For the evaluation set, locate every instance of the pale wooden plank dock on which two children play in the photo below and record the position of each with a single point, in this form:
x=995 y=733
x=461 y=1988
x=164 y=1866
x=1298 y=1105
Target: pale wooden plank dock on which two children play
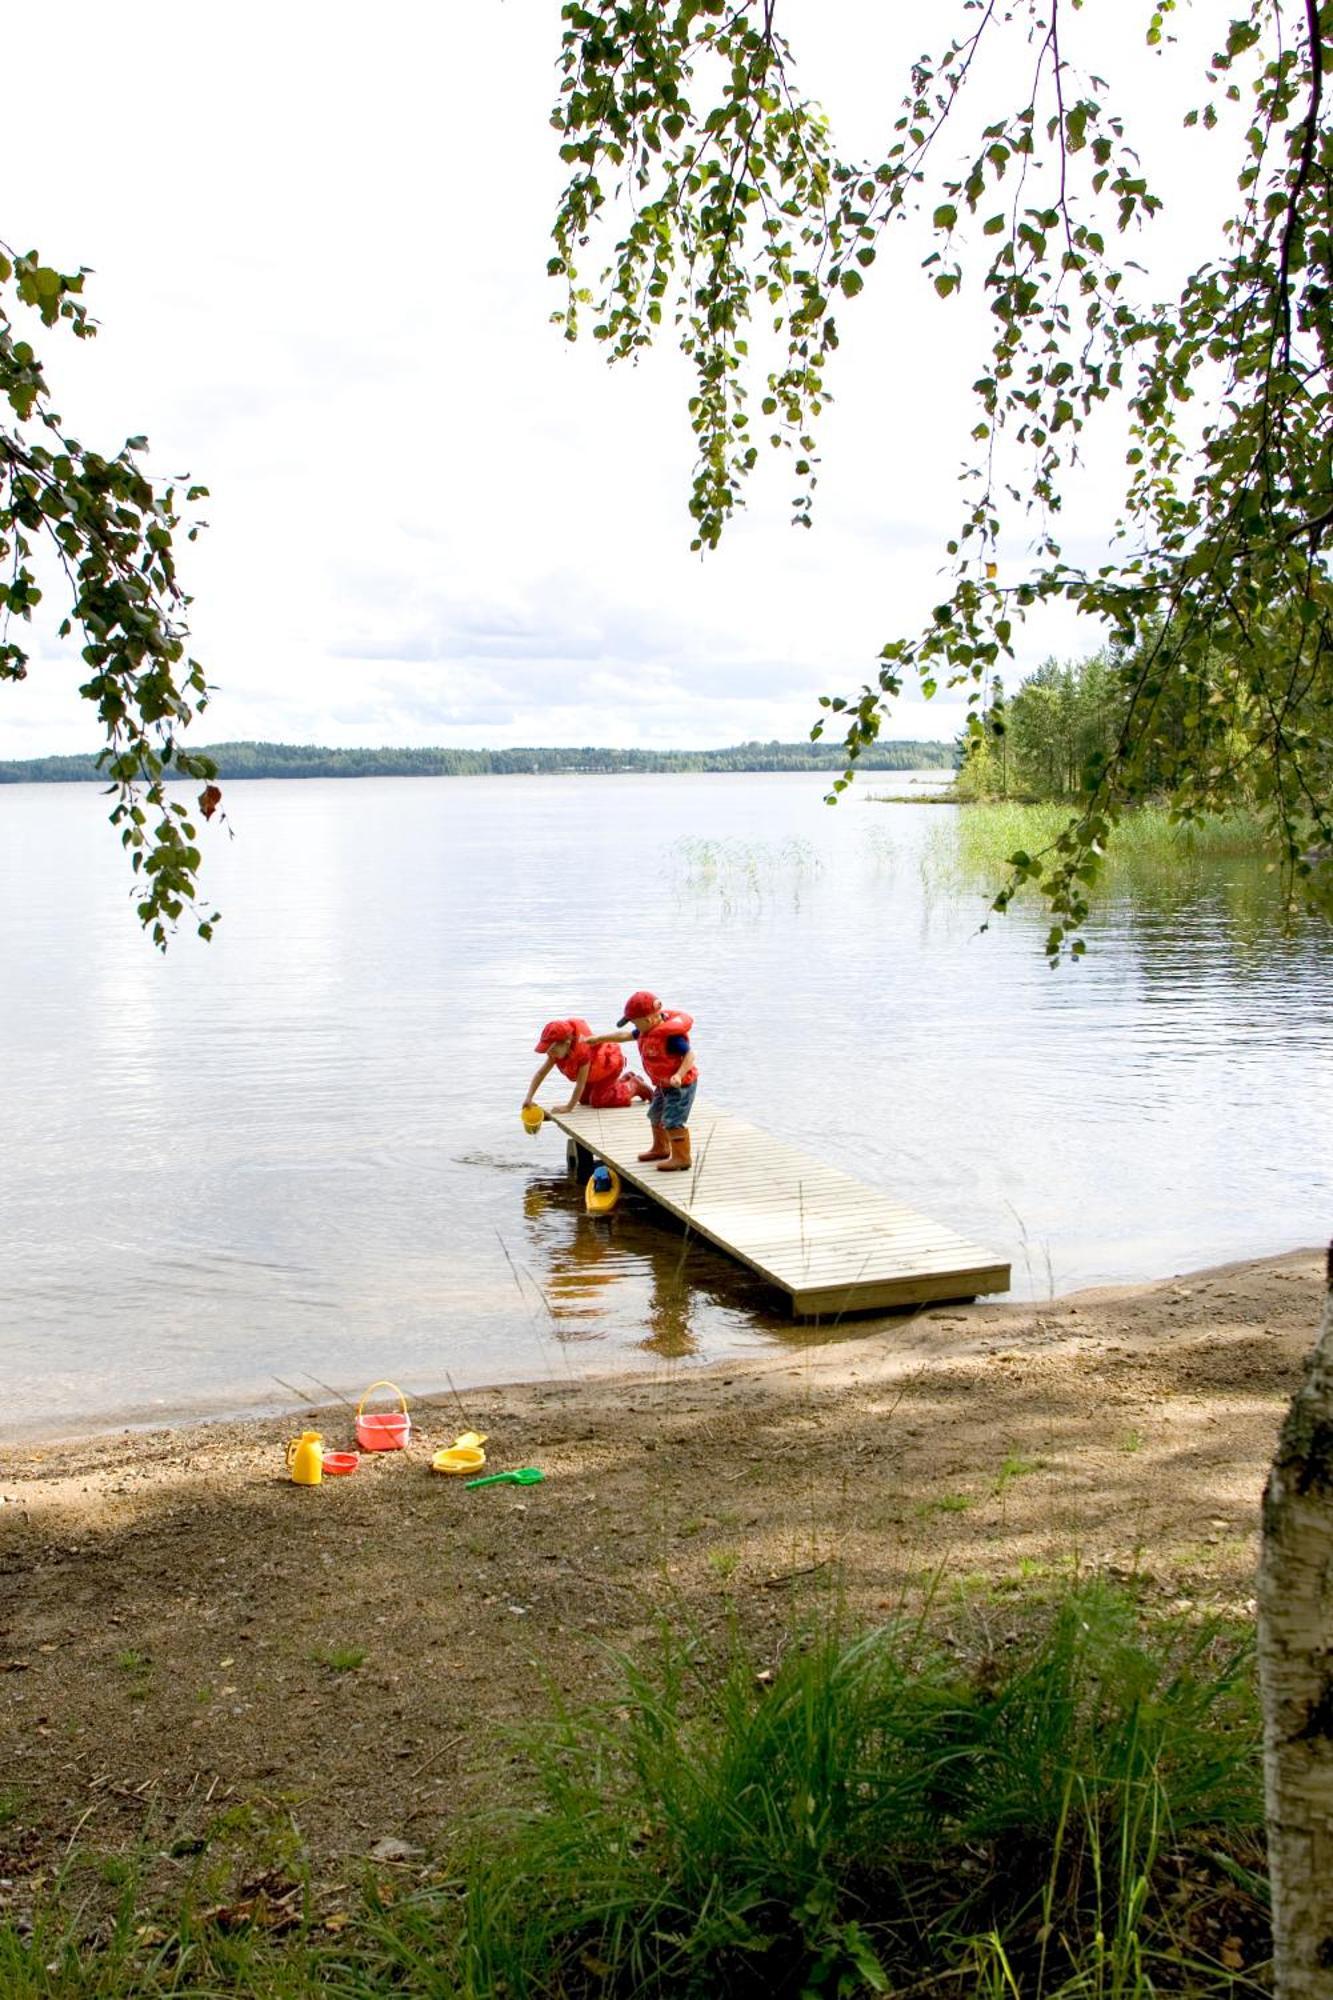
x=828 y=1241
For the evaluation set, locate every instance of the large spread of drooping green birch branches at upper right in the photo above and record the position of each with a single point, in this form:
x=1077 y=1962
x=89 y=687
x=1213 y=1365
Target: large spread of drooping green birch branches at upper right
x=688 y=131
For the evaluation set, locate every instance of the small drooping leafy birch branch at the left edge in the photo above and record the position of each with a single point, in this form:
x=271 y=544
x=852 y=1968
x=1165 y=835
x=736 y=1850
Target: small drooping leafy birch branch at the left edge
x=109 y=533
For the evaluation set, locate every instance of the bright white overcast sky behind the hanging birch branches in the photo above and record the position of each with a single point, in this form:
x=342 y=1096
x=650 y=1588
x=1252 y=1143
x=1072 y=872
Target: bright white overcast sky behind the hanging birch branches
x=319 y=243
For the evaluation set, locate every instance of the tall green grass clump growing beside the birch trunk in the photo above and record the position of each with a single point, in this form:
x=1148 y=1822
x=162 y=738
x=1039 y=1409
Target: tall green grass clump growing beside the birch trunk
x=874 y=1819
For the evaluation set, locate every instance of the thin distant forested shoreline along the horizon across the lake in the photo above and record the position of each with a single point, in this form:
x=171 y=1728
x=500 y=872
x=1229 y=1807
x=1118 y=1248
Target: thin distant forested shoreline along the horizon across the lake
x=311 y=761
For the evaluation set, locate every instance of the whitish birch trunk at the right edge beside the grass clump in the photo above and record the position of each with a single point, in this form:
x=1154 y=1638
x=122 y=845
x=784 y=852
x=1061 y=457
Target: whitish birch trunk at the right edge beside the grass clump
x=1296 y=1677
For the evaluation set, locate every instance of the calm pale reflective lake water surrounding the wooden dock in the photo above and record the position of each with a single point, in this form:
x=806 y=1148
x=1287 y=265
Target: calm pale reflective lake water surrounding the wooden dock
x=297 y=1153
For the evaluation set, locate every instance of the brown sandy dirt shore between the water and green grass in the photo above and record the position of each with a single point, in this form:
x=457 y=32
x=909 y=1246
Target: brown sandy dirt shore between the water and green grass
x=195 y=1653
